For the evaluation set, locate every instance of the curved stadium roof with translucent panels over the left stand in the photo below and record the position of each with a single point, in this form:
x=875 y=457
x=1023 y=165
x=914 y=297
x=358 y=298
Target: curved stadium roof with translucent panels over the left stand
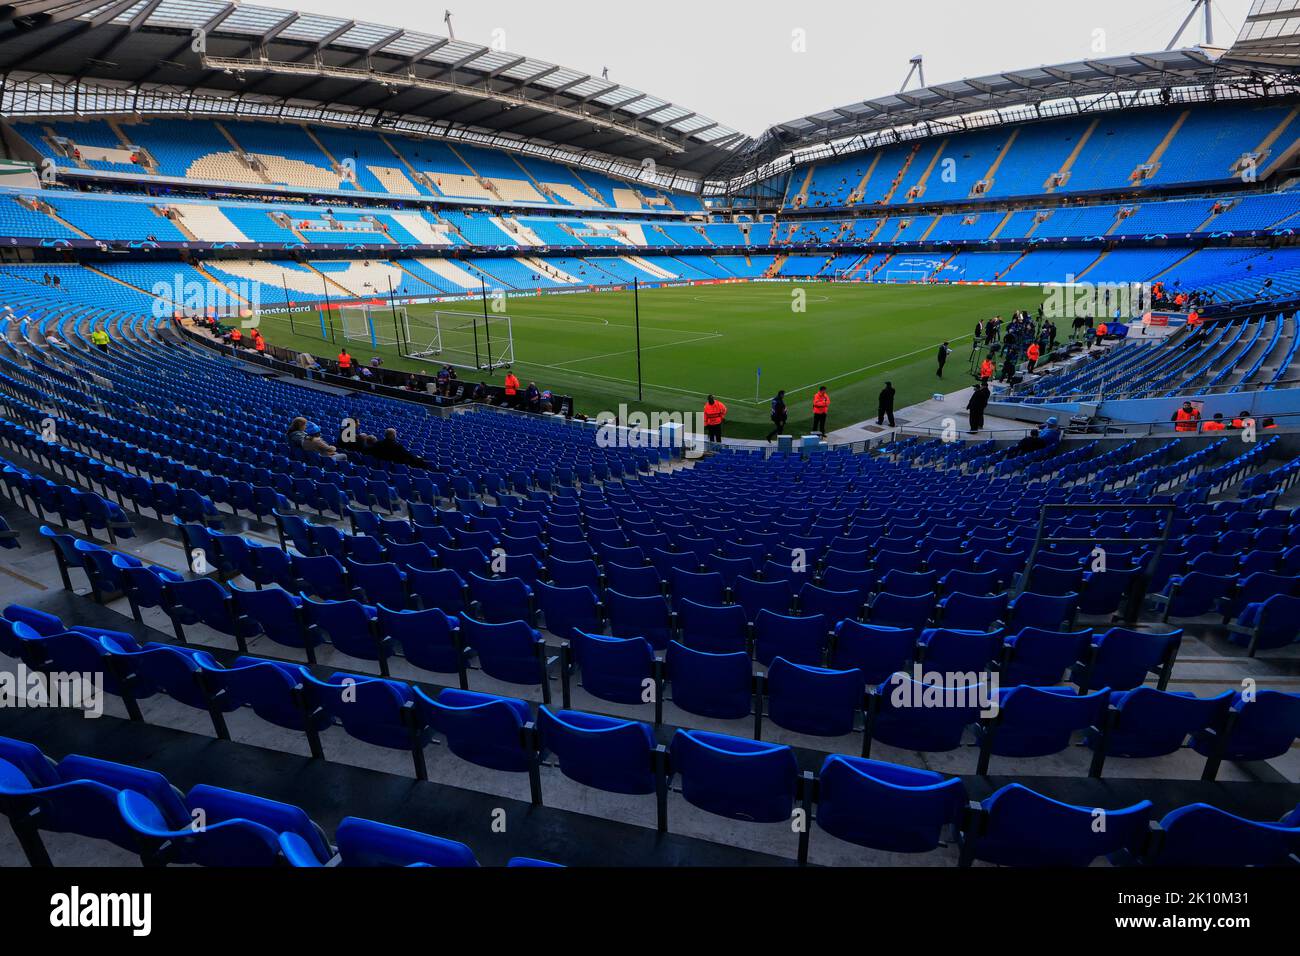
x=354 y=66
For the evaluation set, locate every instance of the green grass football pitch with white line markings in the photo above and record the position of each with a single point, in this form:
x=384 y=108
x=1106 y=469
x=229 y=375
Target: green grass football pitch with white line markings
x=700 y=340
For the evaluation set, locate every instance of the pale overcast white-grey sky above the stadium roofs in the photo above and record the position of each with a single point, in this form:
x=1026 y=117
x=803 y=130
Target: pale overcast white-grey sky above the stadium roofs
x=738 y=62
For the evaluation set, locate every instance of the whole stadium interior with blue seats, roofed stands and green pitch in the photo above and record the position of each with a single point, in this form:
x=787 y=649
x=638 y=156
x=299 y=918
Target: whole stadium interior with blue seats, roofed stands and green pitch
x=419 y=455
